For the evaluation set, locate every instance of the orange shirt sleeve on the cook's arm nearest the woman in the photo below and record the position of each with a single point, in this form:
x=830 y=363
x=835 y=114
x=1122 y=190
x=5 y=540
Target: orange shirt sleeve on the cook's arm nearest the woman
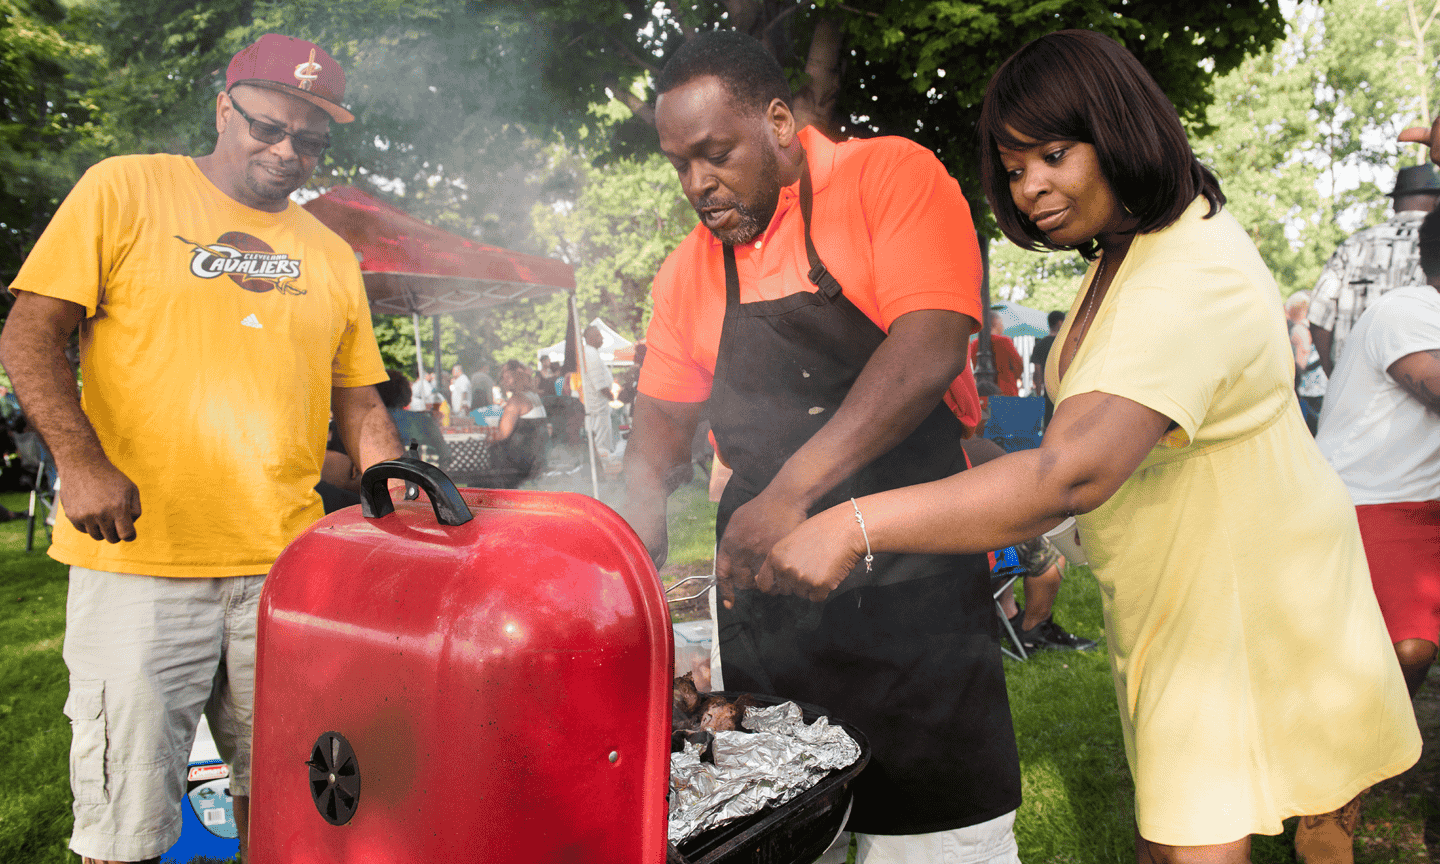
x=925 y=250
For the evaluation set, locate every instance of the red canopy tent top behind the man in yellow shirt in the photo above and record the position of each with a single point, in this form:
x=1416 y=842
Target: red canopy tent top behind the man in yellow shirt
x=414 y=267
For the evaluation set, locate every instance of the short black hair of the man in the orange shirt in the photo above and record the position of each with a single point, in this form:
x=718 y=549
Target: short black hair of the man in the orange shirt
x=750 y=74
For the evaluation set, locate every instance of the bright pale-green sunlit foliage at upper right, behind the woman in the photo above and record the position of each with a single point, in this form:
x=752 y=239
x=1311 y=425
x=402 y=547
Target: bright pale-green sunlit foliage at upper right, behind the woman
x=1304 y=129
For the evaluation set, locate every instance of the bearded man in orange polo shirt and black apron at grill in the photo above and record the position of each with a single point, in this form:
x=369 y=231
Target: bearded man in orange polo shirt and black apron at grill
x=820 y=313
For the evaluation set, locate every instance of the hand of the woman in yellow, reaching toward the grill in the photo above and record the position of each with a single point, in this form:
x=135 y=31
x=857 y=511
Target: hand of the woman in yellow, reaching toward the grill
x=816 y=558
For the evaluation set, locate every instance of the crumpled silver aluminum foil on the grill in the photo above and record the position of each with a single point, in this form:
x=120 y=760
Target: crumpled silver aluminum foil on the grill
x=771 y=764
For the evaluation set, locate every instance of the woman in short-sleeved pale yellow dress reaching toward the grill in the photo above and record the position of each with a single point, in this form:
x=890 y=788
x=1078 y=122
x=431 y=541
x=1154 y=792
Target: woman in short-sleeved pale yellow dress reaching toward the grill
x=1252 y=666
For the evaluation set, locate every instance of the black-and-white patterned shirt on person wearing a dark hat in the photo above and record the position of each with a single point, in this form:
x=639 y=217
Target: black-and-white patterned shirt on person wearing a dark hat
x=1366 y=267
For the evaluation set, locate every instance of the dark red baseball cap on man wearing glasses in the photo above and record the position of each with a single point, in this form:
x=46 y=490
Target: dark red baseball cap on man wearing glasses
x=296 y=68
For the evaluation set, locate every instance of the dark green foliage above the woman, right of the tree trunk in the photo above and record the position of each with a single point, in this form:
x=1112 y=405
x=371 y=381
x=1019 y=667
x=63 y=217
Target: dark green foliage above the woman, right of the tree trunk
x=919 y=68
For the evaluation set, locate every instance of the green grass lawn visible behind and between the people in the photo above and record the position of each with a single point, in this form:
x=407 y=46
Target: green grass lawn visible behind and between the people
x=1078 y=794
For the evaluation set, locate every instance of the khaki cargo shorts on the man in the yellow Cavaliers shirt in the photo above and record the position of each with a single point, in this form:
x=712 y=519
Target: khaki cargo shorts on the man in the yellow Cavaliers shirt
x=148 y=656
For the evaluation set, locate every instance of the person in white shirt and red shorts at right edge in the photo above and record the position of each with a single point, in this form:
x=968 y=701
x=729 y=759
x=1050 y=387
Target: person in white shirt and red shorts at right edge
x=1380 y=430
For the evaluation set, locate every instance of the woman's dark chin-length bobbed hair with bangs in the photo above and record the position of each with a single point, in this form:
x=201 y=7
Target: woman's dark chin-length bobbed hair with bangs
x=1078 y=86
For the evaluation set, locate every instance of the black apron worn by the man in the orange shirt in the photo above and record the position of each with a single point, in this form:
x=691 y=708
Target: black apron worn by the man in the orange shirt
x=909 y=653
